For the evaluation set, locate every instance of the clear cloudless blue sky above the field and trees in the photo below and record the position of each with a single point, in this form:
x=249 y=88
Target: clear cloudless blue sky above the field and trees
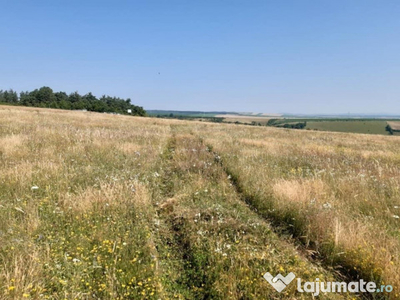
x=278 y=56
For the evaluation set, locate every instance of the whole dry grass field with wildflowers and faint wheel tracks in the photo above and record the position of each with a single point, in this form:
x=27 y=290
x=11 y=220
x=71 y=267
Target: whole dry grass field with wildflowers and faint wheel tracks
x=97 y=206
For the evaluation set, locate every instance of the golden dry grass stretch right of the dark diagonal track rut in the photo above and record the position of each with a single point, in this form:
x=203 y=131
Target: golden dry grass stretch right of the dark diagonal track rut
x=338 y=194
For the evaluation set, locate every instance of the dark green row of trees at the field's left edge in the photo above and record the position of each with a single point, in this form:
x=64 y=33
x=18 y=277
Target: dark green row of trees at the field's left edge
x=45 y=97
